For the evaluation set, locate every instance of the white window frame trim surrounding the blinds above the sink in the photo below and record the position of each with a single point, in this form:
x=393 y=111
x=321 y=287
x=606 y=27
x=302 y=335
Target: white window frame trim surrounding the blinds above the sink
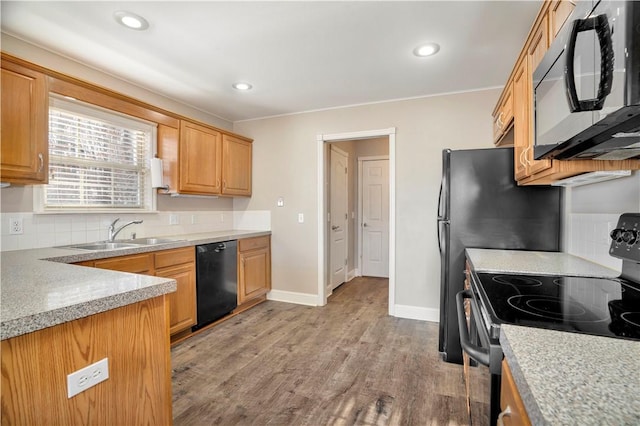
x=117 y=118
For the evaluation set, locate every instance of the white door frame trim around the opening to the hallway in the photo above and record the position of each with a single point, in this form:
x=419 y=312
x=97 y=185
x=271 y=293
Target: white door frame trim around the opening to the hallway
x=321 y=139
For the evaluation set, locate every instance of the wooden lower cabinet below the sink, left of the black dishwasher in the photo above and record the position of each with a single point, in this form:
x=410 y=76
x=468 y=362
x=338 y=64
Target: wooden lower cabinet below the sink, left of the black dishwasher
x=179 y=264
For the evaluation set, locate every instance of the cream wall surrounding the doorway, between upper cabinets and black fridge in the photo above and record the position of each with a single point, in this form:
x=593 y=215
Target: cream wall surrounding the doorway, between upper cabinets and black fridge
x=285 y=158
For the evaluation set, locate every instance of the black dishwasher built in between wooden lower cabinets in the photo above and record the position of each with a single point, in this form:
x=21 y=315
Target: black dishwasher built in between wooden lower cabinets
x=216 y=281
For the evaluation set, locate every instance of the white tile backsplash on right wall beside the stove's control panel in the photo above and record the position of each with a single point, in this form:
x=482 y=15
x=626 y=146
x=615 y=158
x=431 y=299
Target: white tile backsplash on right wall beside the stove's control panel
x=588 y=237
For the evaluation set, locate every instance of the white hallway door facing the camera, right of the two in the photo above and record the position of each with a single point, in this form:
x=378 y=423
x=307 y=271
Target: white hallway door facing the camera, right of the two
x=375 y=218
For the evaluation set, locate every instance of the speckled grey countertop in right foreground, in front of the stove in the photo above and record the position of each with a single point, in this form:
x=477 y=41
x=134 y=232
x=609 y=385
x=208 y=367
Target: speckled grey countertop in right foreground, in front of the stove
x=570 y=379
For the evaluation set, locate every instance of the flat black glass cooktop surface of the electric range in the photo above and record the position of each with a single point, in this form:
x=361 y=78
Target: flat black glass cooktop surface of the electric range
x=599 y=306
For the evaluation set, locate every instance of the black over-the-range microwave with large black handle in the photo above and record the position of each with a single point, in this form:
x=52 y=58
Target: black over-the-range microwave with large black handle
x=587 y=86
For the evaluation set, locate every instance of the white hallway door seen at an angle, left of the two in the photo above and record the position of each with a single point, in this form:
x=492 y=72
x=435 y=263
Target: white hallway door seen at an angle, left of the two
x=338 y=217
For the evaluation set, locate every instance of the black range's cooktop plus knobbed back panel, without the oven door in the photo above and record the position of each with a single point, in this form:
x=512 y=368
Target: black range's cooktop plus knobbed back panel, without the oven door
x=599 y=306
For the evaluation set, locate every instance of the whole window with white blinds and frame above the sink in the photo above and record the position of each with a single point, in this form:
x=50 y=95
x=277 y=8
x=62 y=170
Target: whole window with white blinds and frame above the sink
x=98 y=160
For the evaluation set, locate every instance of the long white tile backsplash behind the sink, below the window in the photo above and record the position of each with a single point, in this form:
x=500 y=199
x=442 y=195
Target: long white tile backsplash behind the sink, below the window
x=52 y=230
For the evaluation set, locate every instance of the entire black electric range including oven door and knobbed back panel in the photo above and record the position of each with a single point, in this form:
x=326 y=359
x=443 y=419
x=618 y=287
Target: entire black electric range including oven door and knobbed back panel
x=589 y=305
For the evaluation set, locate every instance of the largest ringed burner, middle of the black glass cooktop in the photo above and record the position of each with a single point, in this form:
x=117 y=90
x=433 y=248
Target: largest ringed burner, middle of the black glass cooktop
x=551 y=307
